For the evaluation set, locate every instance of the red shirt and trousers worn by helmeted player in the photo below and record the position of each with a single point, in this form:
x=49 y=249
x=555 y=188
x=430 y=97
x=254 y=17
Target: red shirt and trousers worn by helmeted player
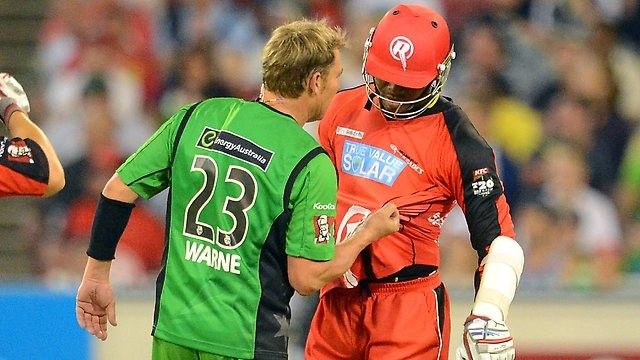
x=424 y=165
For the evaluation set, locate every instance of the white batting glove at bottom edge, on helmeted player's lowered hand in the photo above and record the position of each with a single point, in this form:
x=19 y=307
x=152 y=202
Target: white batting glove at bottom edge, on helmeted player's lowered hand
x=485 y=339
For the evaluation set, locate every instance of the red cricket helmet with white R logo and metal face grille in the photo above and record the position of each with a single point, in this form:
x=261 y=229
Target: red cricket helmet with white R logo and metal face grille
x=410 y=47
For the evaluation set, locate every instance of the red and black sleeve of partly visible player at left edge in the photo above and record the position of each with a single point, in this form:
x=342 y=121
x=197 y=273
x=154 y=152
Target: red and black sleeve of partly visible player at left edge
x=24 y=169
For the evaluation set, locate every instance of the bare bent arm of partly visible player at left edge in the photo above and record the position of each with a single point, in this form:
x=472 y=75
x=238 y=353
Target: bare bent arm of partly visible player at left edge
x=21 y=126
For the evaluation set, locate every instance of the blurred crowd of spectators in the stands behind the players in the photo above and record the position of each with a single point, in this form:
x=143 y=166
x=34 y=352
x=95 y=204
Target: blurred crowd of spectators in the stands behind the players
x=553 y=85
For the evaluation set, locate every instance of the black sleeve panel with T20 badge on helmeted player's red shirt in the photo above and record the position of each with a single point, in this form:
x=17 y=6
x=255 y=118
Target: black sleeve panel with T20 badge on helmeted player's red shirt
x=479 y=179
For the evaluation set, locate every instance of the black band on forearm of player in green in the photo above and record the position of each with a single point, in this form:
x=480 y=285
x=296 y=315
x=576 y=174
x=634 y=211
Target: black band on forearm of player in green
x=109 y=223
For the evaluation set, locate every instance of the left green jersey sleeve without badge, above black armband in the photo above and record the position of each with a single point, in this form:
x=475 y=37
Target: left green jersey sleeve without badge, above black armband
x=147 y=171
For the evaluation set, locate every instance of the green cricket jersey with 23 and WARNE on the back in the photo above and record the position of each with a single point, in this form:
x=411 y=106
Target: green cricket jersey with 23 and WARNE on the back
x=248 y=186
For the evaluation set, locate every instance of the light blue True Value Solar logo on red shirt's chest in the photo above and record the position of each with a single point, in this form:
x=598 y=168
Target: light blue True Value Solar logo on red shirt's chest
x=371 y=163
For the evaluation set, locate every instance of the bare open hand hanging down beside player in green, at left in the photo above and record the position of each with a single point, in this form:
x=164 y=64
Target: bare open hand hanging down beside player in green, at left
x=95 y=305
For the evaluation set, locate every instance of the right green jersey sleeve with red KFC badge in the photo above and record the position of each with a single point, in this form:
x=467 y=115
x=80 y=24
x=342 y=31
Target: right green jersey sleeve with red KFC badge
x=311 y=231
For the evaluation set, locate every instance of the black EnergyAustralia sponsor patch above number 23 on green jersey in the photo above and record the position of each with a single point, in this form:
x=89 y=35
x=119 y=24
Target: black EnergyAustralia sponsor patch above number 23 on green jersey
x=235 y=146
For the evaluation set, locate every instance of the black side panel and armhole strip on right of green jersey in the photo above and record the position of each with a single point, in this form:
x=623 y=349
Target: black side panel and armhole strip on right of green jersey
x=274 y=313
